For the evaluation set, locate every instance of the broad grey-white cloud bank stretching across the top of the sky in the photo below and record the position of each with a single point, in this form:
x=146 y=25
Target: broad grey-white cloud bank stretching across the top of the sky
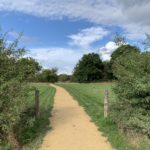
x=122 y=13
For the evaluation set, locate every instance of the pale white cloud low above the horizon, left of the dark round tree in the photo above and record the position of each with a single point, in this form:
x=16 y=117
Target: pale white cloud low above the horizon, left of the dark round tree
x=63 y=58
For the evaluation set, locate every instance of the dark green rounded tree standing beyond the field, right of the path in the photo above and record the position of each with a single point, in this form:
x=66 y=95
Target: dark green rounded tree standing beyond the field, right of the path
x=89 y=68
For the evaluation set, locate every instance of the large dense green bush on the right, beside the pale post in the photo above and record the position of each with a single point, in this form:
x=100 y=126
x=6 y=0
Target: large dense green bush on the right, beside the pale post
x=132 y=109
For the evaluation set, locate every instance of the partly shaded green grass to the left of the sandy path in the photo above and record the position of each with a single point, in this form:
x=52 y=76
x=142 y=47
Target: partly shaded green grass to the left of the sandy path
x=31 y=130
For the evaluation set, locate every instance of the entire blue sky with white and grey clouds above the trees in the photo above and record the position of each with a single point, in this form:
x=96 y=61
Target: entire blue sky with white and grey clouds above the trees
x=58 y=32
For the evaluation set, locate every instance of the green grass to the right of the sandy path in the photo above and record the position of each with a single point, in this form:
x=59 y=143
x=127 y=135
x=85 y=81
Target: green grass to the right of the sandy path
x=91 y=96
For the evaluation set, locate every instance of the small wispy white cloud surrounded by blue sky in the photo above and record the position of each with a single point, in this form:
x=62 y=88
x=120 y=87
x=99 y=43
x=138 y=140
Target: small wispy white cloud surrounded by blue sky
x=88 y=36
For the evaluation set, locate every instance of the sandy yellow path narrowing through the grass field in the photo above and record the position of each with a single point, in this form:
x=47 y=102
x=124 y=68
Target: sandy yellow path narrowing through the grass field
x=71 y=127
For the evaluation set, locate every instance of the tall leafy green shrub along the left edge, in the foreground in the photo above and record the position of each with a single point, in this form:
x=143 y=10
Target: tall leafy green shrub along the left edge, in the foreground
x=12 y=89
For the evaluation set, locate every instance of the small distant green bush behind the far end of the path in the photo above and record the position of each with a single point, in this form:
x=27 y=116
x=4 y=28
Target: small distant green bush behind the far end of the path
x=48 y=75
